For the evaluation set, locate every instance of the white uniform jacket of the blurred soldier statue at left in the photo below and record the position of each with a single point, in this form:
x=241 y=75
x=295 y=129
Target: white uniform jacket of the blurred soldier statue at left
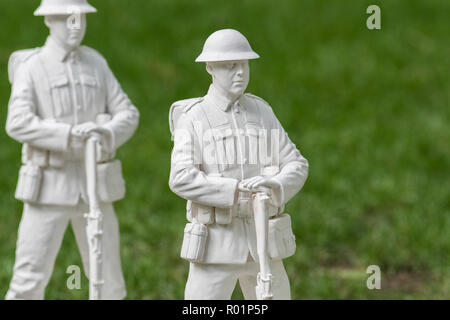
x=53 y=90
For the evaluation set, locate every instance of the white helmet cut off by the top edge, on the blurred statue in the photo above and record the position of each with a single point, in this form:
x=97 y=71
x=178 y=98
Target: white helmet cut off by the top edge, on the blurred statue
x=63 y=7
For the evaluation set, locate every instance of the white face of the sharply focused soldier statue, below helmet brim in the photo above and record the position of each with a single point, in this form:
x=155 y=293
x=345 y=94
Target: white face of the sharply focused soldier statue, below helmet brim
x=231 y=77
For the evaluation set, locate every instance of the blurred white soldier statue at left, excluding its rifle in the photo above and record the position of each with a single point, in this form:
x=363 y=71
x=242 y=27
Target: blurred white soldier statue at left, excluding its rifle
x=62 y=93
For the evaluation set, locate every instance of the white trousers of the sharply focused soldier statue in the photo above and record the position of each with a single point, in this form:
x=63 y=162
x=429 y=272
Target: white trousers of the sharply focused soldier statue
x=217 y=281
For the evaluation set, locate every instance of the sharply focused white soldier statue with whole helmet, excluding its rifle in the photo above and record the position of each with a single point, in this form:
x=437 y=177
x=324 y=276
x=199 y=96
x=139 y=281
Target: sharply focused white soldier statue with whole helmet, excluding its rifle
x=225 y=143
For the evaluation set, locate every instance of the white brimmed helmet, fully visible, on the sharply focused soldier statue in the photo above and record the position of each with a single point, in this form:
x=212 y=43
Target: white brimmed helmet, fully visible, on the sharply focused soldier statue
x=226 y=45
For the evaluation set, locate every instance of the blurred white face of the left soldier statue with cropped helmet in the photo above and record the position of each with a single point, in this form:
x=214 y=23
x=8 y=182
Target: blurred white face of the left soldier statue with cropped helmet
x=68 y=30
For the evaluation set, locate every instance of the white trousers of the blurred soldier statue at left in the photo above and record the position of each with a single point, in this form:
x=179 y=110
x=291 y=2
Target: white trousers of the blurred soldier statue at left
x=40 y=235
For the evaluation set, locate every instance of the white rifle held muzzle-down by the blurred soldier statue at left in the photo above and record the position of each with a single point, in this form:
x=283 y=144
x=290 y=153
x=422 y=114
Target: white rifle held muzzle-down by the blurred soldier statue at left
x=94 y=228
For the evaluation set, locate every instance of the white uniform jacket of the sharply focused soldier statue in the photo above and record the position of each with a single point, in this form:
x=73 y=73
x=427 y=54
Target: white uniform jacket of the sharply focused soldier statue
x=218 y=143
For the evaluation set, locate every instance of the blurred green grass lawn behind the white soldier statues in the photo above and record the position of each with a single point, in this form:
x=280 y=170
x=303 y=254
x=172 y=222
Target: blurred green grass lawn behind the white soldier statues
x=368 y=109
